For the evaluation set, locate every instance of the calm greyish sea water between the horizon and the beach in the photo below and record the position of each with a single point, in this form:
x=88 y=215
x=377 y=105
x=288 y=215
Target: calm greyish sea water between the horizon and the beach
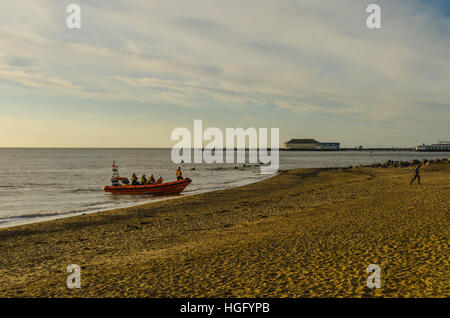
x=41 y=184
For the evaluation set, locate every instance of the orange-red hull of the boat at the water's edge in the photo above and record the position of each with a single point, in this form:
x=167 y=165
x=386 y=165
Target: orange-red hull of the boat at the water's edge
x=169 y=188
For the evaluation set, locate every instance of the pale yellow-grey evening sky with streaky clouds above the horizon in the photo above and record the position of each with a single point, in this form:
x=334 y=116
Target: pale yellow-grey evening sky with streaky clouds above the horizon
x=136 y=70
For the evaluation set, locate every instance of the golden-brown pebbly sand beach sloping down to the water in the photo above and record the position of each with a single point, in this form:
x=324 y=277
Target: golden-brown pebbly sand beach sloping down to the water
x=302 y=233
